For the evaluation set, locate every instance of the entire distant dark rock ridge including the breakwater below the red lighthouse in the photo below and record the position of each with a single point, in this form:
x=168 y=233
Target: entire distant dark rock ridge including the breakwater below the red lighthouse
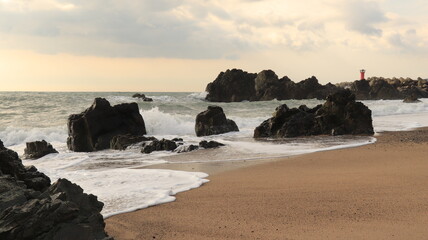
x=237 y=85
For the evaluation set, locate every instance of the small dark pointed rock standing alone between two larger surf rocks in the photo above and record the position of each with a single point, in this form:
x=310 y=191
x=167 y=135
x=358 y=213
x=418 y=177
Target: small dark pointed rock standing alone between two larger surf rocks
x=213 y=121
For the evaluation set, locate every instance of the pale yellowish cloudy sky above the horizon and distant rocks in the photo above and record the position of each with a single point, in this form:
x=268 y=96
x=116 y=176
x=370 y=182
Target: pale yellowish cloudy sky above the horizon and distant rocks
x=182 y=45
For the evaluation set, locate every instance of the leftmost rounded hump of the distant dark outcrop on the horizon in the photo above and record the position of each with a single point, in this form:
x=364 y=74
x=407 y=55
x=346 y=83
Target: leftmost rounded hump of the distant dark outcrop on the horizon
x=232 y=86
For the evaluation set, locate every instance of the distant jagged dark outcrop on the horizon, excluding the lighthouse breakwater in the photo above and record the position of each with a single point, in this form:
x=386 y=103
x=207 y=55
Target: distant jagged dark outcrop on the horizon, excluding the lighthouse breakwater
x=236 y=85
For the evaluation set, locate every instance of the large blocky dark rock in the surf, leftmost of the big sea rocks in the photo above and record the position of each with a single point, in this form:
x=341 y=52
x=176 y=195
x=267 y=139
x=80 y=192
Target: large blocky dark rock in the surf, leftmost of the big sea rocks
x=94 y=128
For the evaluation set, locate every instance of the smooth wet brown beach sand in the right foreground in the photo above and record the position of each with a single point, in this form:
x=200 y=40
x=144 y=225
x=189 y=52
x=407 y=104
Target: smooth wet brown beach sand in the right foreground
x=377 y=191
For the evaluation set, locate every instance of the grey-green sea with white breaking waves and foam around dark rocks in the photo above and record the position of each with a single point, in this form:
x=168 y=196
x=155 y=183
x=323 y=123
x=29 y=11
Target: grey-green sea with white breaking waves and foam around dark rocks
x=118 y=177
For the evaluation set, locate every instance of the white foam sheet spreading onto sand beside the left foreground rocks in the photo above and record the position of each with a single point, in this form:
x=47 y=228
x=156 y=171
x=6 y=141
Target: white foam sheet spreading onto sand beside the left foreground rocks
x=123 y=189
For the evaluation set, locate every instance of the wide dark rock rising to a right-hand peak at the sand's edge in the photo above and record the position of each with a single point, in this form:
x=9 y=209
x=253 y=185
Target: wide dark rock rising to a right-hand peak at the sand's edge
x=339 y=115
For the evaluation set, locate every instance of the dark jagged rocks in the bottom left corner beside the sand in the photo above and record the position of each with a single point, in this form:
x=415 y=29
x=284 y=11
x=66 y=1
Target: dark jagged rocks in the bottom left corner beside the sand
x=32 y=208
